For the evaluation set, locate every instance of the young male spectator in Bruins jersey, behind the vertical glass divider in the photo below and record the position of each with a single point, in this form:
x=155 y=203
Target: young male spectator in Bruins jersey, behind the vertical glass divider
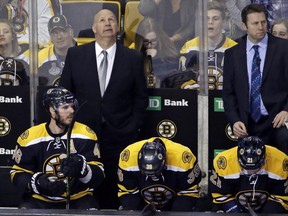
x=217 y=44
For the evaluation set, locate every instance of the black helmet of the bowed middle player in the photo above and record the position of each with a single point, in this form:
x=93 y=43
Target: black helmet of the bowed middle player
x=152 y=158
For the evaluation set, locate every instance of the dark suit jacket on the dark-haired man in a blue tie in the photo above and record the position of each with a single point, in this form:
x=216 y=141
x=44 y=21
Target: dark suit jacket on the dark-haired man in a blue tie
x=274 y=89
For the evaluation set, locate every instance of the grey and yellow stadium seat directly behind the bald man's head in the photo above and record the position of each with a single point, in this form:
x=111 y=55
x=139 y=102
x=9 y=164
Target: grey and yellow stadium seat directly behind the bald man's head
x=80 y=14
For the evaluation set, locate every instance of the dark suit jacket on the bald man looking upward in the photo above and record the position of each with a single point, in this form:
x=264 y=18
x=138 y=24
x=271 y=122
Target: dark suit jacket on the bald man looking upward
x=125 y=100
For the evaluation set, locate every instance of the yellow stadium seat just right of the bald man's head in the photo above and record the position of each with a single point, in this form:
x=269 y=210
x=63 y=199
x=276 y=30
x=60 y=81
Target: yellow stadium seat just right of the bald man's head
x=132 y=18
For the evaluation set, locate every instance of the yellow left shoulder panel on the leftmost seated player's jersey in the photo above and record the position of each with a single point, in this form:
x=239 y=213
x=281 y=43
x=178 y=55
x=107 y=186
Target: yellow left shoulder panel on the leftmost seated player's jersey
x=32 y=134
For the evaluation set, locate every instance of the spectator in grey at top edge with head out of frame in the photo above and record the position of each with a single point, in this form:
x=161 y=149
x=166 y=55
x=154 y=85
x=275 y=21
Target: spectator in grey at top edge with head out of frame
x=177 y=17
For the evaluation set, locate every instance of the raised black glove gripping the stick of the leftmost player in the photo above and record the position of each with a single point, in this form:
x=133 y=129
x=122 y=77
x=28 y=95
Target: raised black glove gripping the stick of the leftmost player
x=74 y=166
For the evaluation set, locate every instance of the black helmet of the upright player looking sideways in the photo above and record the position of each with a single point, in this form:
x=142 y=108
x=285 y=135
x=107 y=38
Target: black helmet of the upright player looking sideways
x=58 y=96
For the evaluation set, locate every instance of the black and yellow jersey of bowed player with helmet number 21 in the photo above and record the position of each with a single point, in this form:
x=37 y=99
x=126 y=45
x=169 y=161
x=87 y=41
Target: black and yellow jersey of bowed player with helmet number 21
x=230 y=182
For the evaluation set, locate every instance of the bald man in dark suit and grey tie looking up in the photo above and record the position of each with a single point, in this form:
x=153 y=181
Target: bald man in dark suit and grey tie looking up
x=116 y=103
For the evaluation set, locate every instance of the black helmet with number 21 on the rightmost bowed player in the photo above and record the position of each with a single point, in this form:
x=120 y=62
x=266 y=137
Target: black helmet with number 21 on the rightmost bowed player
x=251 y=153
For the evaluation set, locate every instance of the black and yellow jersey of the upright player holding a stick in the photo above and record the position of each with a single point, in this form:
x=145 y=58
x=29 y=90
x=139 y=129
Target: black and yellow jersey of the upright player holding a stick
x=38 y=150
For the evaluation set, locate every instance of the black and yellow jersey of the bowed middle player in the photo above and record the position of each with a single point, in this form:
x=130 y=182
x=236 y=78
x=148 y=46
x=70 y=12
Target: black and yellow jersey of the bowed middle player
x=177 y=186
